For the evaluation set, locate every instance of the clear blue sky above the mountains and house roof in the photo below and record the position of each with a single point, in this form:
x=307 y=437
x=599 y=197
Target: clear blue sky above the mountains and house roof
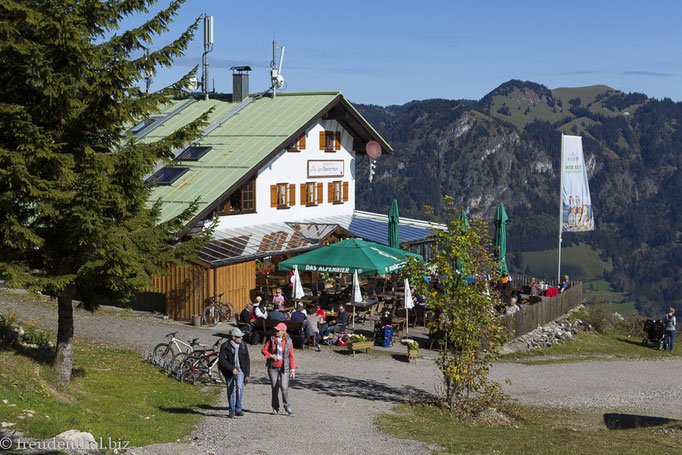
x=381 y=52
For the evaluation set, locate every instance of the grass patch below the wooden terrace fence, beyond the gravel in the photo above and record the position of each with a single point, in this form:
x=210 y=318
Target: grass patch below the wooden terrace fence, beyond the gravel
x=610 y=345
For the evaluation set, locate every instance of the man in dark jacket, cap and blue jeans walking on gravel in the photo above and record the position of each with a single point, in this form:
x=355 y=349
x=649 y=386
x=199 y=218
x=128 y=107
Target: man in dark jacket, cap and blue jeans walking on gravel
x=235 y=365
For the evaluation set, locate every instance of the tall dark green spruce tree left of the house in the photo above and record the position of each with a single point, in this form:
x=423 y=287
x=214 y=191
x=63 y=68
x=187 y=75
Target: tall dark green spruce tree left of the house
x=74 y=215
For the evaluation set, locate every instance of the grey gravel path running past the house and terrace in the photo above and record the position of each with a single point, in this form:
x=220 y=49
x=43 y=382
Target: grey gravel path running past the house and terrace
x=336 y=397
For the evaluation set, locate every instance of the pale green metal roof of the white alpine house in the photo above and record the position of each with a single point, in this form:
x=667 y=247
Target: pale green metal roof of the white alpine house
x=244 y=140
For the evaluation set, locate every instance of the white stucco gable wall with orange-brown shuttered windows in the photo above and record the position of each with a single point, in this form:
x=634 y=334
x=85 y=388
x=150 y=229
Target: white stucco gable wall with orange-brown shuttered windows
x=292 y=168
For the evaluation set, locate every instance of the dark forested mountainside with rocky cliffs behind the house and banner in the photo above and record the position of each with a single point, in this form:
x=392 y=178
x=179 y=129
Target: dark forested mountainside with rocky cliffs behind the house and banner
x=506 y=148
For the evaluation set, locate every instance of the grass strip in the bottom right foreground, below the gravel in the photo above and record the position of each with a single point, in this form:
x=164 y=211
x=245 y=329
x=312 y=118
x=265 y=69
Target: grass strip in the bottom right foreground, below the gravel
x=538 y=430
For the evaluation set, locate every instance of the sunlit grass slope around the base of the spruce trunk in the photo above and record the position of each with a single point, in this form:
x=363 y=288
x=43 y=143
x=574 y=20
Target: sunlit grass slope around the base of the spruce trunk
x=113 y=393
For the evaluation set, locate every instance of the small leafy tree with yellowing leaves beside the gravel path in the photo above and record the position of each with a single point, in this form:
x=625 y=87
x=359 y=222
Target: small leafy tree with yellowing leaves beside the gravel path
x=462 y=310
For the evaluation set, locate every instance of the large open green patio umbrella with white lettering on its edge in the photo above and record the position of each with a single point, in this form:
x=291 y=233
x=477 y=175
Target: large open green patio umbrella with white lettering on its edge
x=347 y=256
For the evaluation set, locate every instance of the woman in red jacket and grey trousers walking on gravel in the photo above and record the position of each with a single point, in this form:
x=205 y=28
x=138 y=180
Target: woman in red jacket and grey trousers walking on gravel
x=279 y=355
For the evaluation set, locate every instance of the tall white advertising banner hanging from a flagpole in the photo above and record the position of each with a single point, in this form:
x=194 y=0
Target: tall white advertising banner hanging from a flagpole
x=576 y=205
